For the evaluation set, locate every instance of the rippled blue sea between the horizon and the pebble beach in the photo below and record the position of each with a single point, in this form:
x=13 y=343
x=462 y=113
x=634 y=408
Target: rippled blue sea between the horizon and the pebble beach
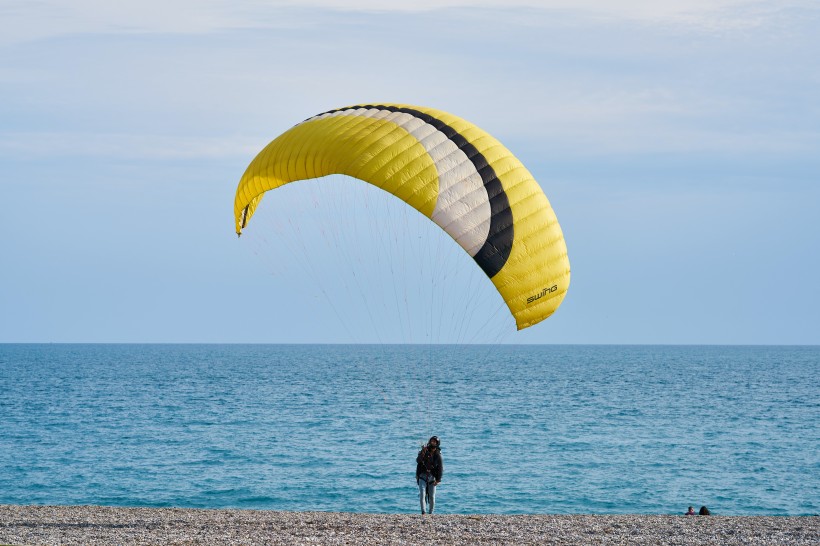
x=524 y=429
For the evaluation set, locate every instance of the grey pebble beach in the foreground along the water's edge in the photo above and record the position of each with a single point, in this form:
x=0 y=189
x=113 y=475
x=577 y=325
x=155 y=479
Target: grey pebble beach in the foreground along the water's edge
x=91 y=525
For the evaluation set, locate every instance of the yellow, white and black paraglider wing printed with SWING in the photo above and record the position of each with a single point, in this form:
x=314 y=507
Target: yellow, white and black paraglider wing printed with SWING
x=446 y=168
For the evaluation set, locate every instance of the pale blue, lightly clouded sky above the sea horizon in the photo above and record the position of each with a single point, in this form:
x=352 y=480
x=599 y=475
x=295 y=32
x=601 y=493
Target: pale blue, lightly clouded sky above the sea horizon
x=677 y=142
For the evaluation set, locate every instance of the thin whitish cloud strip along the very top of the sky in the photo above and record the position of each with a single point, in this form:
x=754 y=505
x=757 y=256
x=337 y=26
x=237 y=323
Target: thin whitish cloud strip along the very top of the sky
x=24 y=20
